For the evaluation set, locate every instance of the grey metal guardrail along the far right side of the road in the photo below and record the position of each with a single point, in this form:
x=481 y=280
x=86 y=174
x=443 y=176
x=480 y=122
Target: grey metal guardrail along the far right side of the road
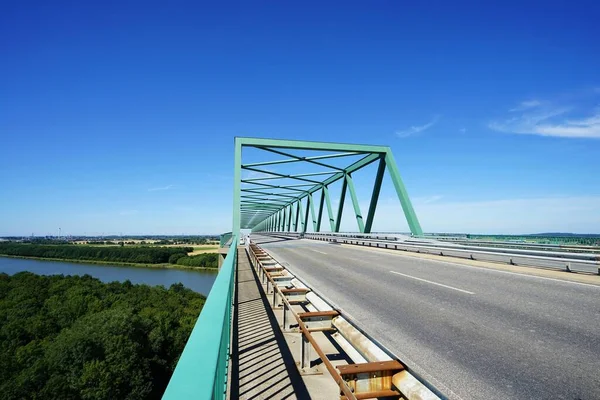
x=570 y=262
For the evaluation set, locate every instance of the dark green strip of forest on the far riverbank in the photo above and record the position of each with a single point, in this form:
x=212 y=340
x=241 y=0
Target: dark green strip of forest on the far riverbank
x=142 y=255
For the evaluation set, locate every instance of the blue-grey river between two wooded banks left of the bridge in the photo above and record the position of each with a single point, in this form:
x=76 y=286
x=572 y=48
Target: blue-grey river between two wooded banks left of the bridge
x=199 y=281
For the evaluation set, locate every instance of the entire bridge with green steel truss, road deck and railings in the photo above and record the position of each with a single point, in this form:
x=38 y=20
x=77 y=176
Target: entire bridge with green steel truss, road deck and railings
x=300 y=309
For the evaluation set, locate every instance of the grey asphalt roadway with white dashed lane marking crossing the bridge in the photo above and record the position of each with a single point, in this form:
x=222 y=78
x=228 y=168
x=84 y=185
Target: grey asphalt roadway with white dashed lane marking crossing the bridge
x=475 y=333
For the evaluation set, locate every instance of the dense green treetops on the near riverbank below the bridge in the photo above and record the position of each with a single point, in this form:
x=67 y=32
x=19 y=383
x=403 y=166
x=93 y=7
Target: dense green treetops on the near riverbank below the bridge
x=74 y=337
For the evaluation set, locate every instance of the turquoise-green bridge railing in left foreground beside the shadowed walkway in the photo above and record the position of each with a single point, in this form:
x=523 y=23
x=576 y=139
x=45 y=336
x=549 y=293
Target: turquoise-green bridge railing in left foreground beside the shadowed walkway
x=201 y=372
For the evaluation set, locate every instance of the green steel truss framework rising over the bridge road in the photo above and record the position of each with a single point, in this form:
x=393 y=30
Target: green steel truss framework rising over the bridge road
x=270 y=199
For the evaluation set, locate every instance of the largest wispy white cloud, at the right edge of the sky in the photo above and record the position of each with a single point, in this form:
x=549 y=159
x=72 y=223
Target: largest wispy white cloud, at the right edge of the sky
x=544 y=119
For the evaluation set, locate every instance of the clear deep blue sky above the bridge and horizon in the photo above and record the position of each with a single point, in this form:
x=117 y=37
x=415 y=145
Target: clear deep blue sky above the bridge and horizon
x=119 y=117
